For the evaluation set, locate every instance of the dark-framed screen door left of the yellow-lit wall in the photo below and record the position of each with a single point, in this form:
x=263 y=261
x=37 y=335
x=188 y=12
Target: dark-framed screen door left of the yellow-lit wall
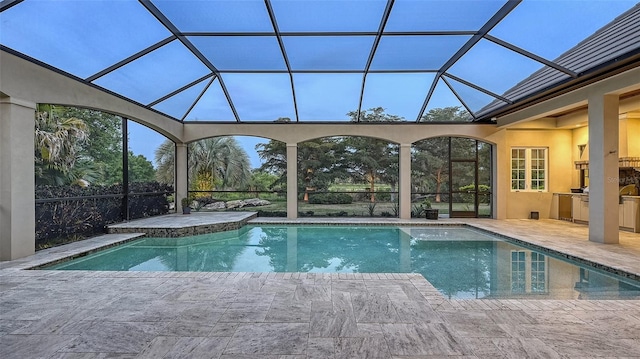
x=464 y=189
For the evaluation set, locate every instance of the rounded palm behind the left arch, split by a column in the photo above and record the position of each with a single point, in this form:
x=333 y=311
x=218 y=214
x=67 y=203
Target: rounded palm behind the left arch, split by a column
x=217 y=162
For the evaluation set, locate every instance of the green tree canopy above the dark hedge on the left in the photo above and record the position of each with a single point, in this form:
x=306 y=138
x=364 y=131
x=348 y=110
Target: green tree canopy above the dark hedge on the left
x=83 y=146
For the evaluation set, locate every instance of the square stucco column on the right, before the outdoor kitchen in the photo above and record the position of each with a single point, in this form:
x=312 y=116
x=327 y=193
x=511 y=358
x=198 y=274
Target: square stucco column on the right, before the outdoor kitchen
x=603 y=168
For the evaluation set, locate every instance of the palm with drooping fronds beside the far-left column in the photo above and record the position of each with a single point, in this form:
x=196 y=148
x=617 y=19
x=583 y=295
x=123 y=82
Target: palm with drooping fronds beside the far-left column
x=56 y=145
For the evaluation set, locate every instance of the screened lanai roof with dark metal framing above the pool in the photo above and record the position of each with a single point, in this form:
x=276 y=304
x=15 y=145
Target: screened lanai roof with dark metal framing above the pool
x=317 y=60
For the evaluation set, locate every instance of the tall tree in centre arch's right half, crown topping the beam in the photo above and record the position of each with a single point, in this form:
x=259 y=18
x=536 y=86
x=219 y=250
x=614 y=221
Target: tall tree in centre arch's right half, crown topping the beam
x=371 y=159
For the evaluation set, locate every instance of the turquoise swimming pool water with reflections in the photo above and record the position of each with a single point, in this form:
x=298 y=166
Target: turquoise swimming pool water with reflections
x=460 y=262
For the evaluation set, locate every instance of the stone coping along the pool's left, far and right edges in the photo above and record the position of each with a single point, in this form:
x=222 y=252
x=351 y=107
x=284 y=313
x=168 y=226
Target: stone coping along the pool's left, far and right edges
x=75 y=250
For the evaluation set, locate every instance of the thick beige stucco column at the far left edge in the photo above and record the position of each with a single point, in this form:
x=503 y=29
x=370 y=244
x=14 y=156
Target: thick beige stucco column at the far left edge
x=17 y=183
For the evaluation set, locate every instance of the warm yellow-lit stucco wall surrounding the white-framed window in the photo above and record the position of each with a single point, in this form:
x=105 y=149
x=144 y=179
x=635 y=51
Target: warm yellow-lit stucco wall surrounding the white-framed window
x=560 y=170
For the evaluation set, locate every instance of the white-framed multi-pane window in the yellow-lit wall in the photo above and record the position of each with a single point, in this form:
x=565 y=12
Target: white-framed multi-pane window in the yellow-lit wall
x=529 y=169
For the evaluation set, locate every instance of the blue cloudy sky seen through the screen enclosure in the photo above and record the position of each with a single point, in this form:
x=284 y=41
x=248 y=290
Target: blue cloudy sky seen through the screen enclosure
x=546 y=28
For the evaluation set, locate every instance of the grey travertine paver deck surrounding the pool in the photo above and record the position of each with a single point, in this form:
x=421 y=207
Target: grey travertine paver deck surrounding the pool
x=82 y=314
